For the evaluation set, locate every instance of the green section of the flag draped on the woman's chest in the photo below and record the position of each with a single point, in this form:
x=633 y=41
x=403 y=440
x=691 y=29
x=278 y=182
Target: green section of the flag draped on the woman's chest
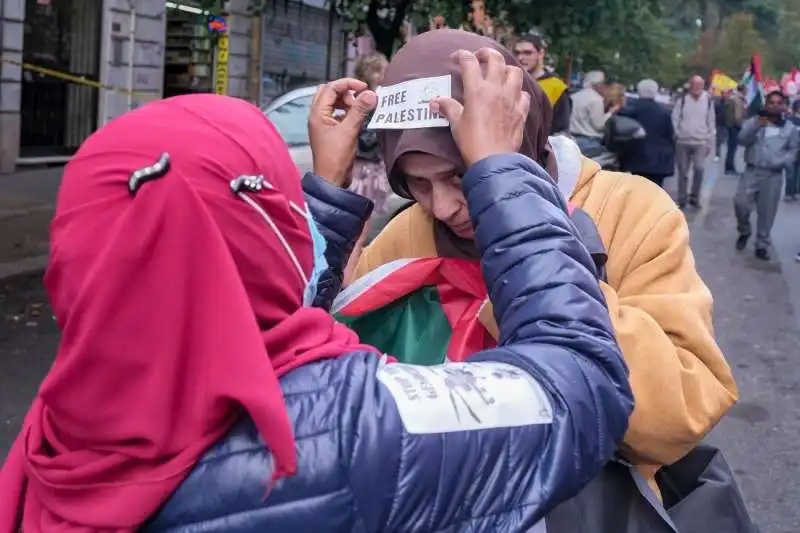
x=414 y=329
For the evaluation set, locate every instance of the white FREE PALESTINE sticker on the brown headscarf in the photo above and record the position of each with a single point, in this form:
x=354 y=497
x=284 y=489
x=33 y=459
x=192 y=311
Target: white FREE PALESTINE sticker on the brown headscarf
x=406 y=105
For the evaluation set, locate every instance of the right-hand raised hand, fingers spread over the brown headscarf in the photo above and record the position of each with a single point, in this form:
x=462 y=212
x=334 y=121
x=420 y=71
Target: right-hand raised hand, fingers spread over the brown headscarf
x=492 y=117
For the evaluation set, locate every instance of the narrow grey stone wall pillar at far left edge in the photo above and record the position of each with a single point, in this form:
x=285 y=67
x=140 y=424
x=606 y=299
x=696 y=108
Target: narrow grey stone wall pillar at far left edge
x=12 y=14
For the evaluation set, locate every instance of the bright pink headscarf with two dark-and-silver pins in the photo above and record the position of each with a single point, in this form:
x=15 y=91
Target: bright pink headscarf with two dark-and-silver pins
x=179 y=309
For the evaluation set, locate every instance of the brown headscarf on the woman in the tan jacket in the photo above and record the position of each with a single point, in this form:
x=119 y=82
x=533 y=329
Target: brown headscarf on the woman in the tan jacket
x=428 y=55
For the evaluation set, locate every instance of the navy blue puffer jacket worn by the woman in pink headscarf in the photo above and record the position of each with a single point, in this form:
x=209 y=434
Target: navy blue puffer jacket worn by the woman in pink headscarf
x=490 y=445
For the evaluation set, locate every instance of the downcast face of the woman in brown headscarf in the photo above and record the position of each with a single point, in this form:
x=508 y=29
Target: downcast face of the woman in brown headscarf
x=435 y=184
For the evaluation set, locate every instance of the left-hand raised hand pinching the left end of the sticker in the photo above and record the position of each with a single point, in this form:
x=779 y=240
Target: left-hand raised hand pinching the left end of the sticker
x=333 y=138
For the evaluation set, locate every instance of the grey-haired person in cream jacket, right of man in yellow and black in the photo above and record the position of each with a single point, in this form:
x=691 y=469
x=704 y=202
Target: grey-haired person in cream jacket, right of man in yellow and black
x=589 y=114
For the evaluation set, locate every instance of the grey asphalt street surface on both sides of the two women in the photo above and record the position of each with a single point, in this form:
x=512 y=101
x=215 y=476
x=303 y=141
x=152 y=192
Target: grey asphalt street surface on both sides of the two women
x=756 y=325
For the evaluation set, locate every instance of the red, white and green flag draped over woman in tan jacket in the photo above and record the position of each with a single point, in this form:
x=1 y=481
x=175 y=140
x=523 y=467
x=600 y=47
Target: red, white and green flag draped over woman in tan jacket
x=421 y=311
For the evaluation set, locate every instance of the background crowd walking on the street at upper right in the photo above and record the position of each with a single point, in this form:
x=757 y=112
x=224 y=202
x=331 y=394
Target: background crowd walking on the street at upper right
x=680 y=136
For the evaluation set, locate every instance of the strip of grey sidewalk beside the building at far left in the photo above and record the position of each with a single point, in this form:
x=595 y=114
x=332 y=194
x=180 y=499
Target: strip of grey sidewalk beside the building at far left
x=27 y=200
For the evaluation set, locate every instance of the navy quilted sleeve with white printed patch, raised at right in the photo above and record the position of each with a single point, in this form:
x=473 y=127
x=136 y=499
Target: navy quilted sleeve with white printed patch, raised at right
x=495 y=443
